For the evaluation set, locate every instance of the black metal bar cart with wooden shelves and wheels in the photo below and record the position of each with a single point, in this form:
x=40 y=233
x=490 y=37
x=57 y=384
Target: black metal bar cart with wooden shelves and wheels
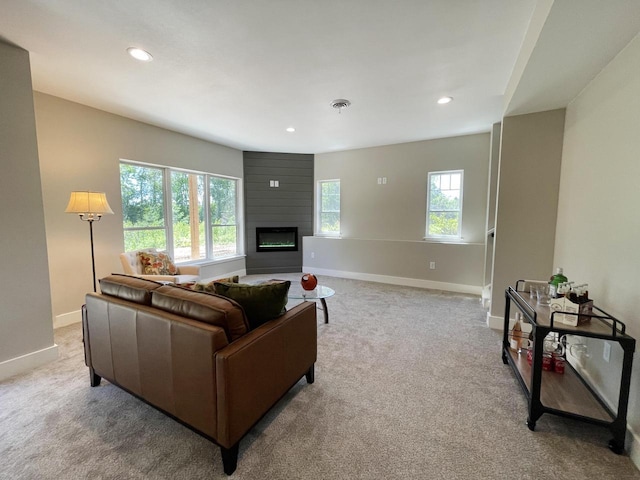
x=567 y=395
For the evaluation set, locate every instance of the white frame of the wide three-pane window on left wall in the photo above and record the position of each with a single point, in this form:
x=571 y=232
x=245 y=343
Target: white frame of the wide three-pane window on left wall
x=168 y=214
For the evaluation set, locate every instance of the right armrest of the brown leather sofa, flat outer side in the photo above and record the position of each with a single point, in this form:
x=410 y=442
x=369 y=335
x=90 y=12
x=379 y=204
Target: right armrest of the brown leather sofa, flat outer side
x=255 y=371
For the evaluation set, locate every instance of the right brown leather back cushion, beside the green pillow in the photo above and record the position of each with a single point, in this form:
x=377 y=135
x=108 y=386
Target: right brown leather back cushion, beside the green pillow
x=204 y=307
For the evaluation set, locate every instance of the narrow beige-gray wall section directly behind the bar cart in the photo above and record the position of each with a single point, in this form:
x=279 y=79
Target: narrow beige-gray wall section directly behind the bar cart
x=528 y=184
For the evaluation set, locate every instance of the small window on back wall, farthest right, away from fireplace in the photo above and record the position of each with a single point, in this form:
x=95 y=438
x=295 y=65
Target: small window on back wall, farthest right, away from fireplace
x=444 y=204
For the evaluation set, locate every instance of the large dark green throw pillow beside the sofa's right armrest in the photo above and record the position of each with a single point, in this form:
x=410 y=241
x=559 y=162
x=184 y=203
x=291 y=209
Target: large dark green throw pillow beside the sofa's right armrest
x=261 y=303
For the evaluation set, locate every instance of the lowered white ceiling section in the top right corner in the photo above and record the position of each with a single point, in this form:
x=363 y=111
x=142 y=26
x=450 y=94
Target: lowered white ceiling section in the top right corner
x=573 y=41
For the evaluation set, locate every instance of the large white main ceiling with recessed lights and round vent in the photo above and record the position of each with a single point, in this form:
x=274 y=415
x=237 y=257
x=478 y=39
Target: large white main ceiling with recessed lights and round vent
x=240 y=72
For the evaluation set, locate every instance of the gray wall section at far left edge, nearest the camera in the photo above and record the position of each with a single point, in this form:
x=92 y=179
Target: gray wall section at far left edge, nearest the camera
x=25 y=317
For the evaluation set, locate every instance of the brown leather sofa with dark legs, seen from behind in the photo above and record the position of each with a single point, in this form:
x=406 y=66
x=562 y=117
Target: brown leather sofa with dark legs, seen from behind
x=192 y=356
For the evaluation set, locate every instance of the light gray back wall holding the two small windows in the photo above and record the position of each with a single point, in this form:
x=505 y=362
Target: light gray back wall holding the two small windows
x=383 y=226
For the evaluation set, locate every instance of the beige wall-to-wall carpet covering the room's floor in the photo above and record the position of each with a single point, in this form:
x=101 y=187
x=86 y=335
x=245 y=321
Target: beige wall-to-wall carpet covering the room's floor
x=409 y=385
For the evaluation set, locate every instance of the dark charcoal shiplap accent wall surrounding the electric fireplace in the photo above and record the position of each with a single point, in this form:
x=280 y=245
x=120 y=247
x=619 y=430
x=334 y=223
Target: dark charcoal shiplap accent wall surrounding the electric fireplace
x=288 y=205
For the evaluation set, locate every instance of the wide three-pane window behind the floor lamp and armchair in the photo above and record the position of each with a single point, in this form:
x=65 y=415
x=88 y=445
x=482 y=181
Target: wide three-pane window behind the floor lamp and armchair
x=191 y=215
